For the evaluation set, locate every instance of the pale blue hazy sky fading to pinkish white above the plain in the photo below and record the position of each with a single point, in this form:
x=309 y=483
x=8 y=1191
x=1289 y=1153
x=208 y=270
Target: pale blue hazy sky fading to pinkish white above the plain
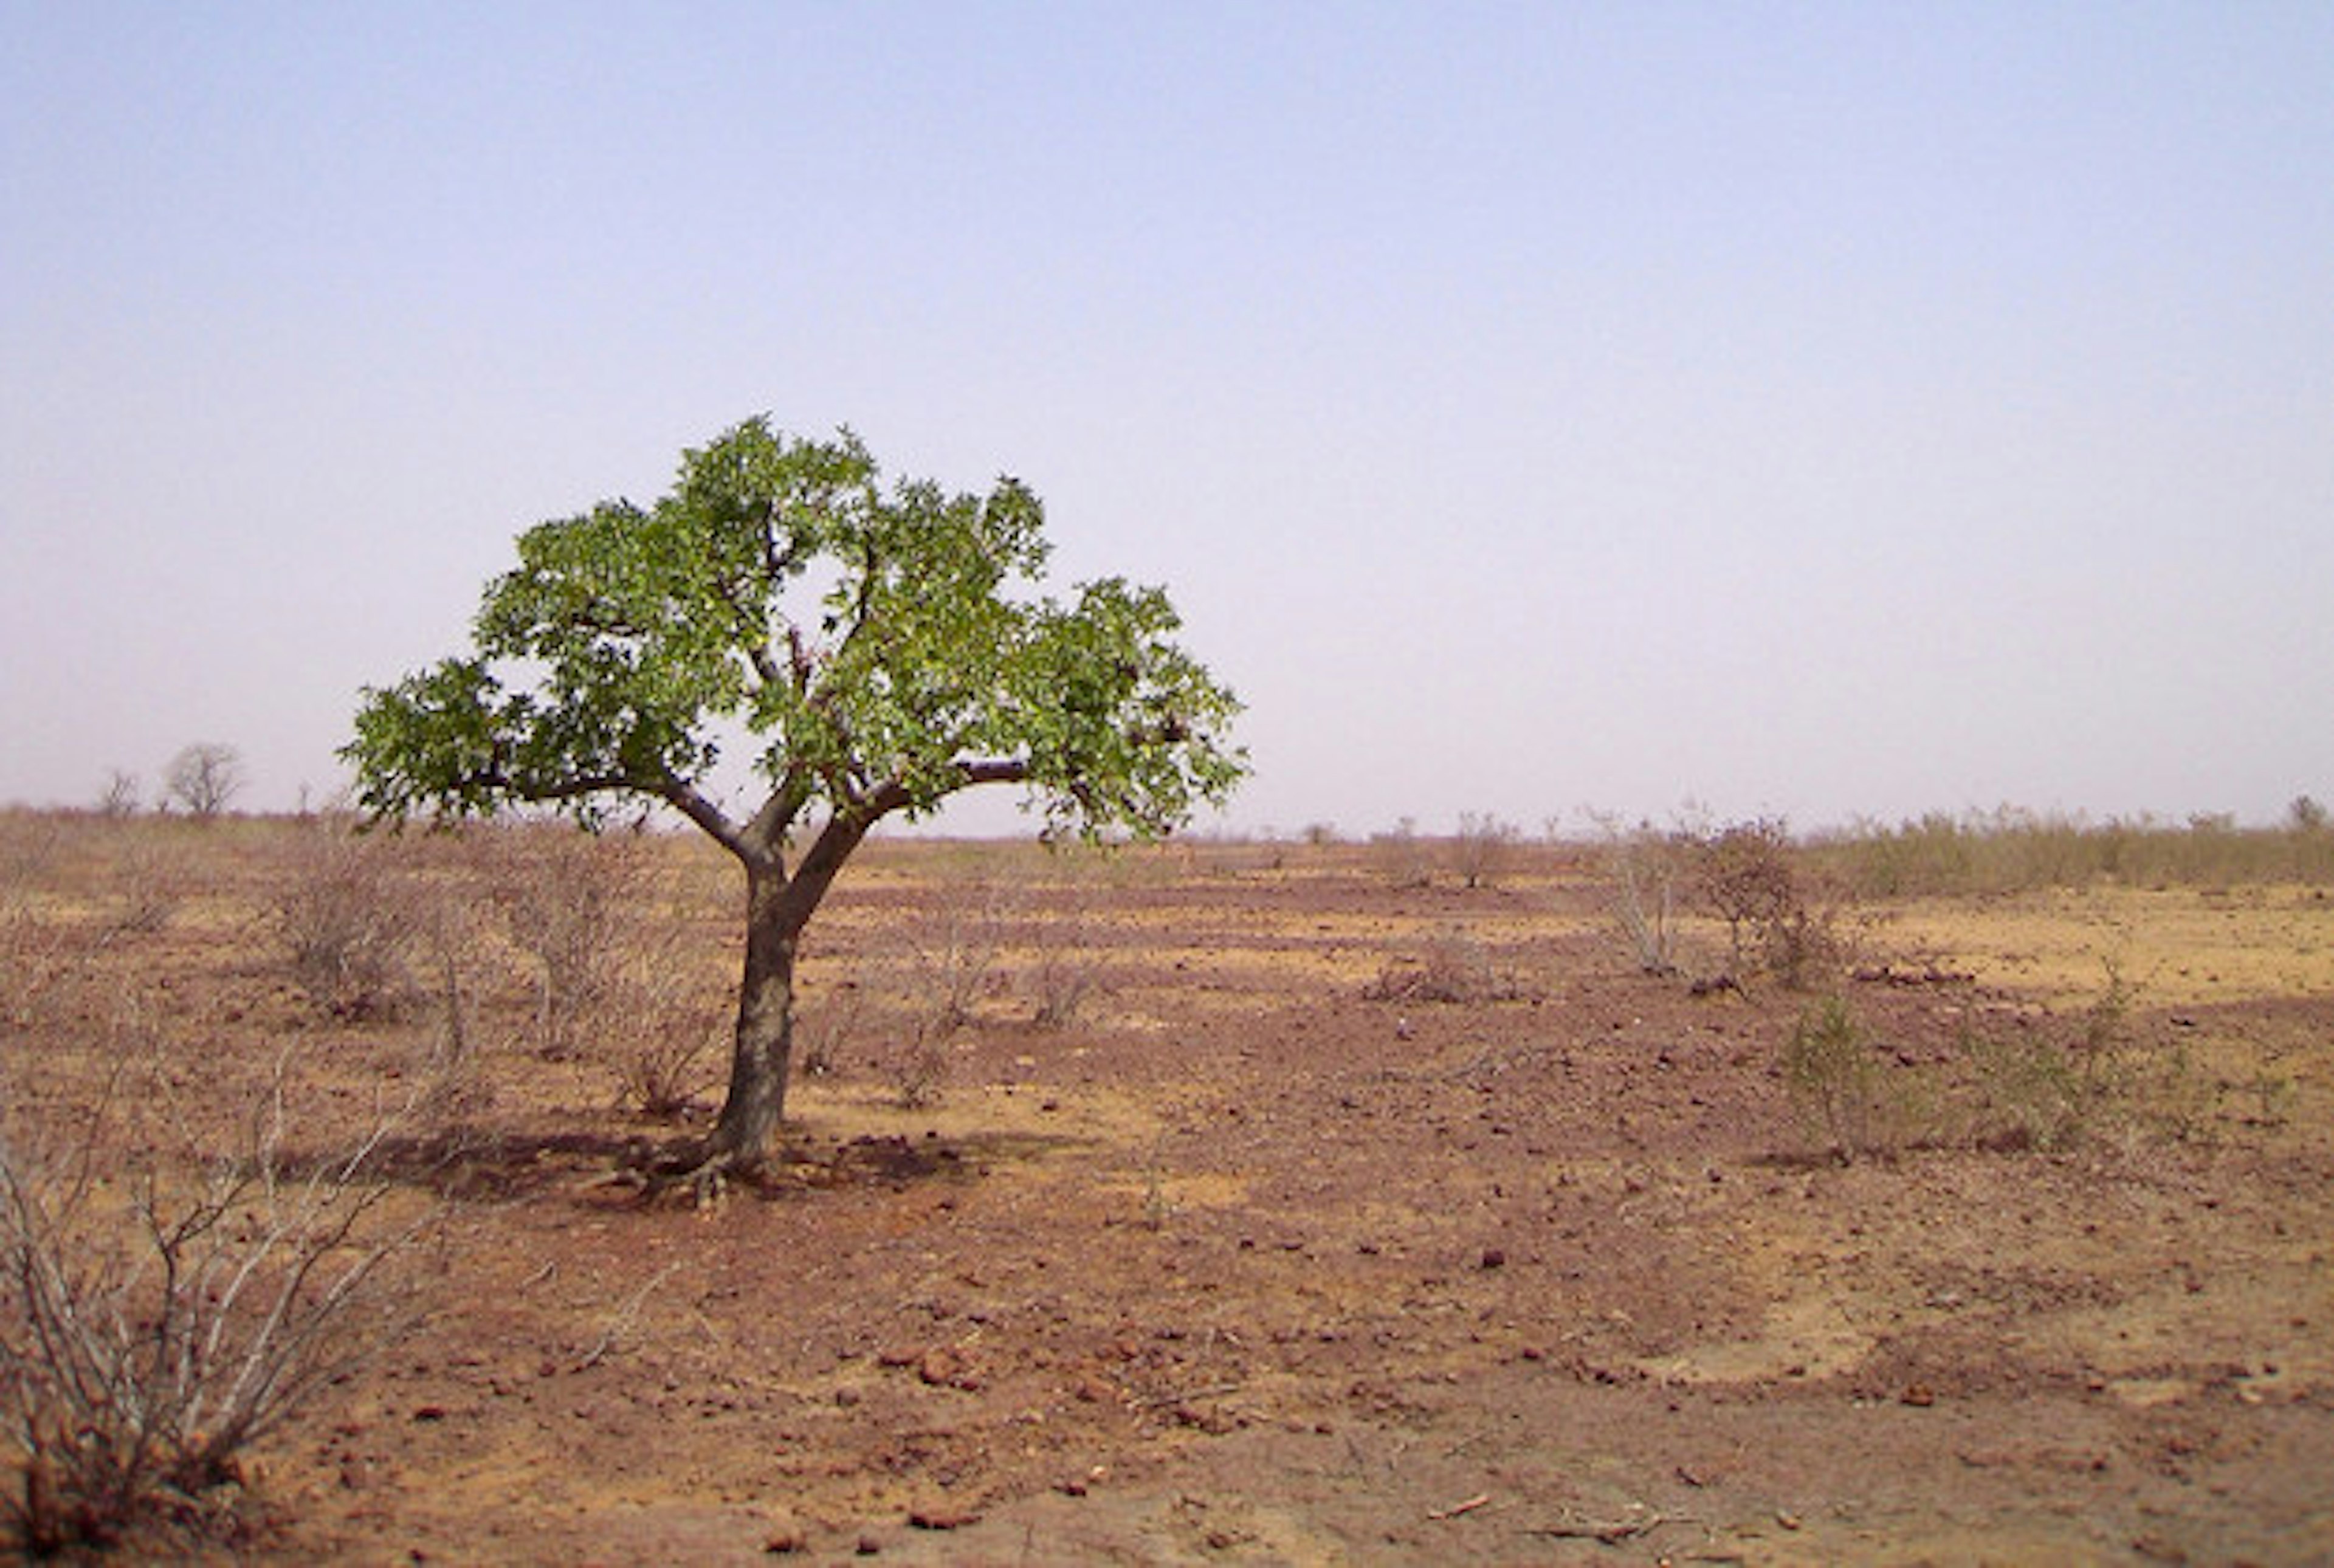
x=1852 y=409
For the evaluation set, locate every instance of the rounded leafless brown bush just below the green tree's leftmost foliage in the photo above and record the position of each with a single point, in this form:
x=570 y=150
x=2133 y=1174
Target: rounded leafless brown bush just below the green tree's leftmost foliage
x=344 y=920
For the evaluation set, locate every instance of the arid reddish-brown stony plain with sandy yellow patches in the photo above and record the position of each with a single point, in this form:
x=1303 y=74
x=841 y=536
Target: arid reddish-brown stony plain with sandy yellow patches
x=1238 y=1200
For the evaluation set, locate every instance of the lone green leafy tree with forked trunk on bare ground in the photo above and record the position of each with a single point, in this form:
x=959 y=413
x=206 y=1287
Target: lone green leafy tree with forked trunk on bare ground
x=879 y=645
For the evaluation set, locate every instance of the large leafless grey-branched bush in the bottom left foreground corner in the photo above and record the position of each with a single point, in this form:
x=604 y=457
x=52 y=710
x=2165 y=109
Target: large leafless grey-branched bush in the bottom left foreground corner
x=160 y=1322
